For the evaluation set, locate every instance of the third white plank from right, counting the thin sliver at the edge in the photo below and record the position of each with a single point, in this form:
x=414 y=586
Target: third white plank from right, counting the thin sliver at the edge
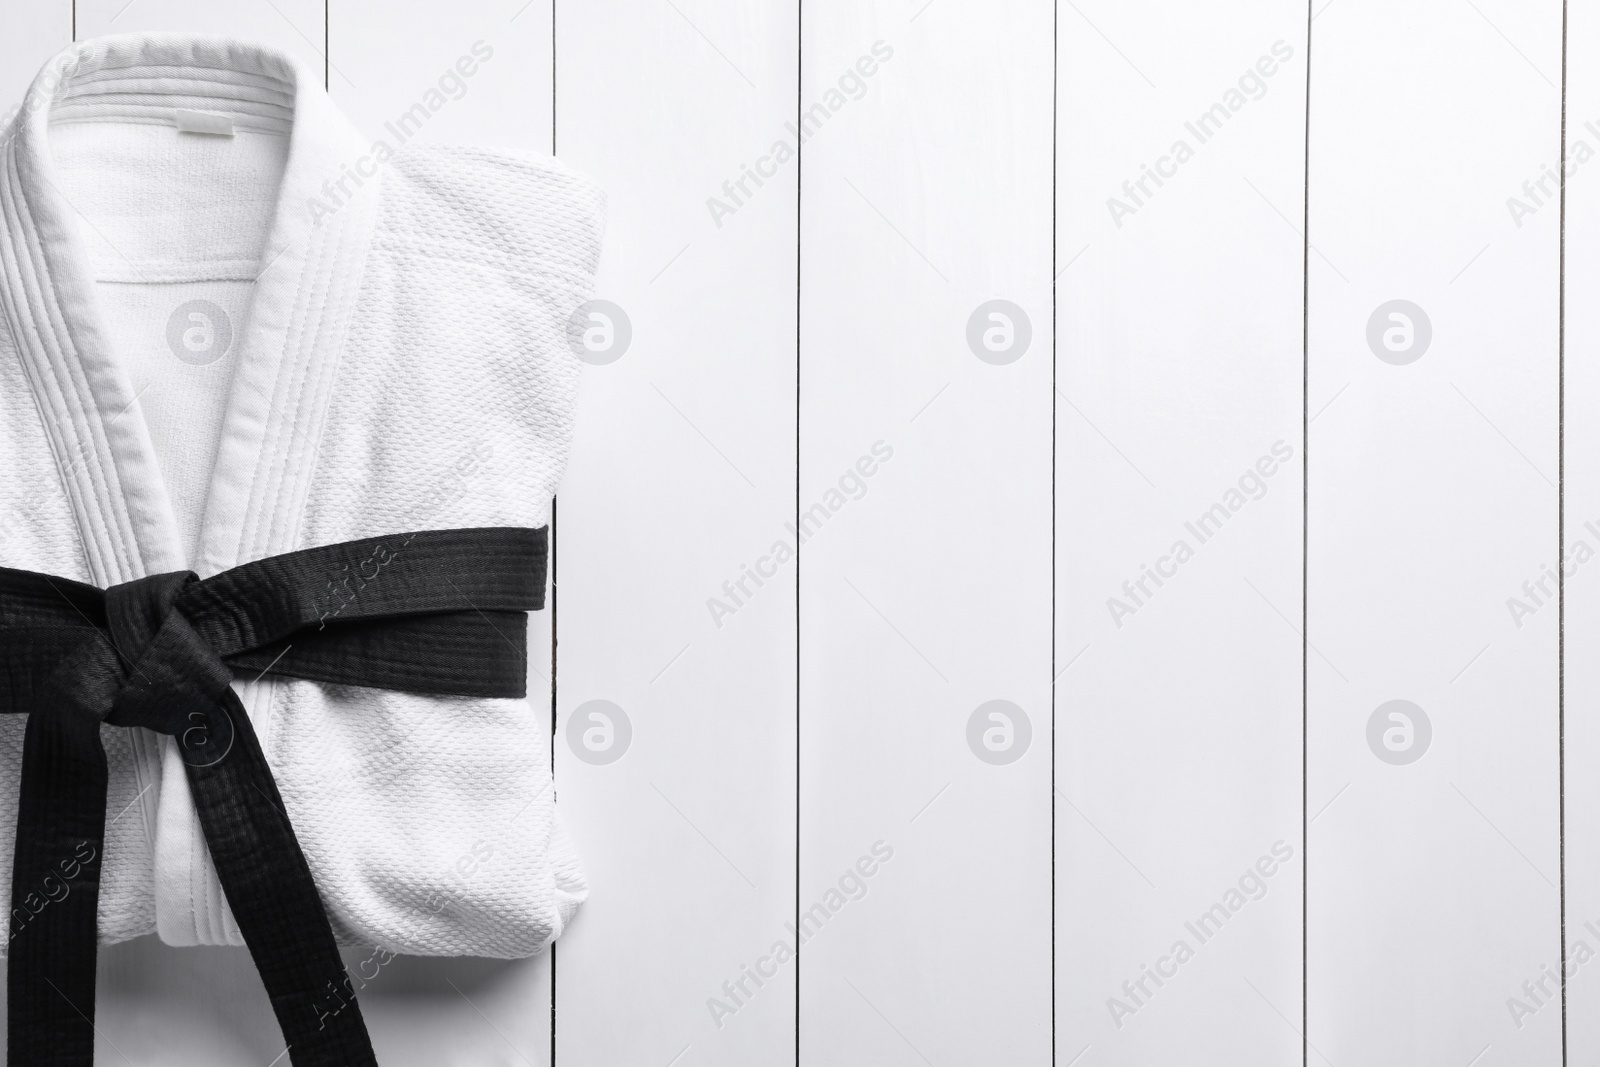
x=1178 y=548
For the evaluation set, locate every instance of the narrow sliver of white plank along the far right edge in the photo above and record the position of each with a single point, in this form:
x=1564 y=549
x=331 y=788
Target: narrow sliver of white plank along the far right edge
x=1582 y=484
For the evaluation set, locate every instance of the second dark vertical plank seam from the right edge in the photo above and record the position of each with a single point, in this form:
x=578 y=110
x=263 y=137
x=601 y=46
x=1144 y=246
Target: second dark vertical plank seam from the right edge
x=1306 y=556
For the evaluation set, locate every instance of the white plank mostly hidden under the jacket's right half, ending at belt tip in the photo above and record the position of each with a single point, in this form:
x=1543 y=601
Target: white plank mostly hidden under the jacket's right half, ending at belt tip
x=385 y=58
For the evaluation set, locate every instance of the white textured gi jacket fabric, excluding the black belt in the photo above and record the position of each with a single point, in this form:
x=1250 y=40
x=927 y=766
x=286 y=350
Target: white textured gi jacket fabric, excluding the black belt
x=396 y=359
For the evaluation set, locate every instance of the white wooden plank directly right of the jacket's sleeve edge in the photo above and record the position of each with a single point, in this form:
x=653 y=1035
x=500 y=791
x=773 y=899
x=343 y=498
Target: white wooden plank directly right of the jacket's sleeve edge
x=684 y=471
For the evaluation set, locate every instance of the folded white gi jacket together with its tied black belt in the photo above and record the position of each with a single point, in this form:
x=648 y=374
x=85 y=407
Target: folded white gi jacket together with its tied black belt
x=234 y=332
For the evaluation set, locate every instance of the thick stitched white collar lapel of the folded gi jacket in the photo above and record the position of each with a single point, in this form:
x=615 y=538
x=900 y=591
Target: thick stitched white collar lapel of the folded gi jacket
x=297 y=327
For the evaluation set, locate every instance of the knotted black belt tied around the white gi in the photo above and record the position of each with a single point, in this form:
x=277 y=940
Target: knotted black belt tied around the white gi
x=436 y=612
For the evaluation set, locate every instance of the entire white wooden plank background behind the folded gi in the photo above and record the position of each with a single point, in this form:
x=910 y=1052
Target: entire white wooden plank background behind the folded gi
x=1190 y=842
